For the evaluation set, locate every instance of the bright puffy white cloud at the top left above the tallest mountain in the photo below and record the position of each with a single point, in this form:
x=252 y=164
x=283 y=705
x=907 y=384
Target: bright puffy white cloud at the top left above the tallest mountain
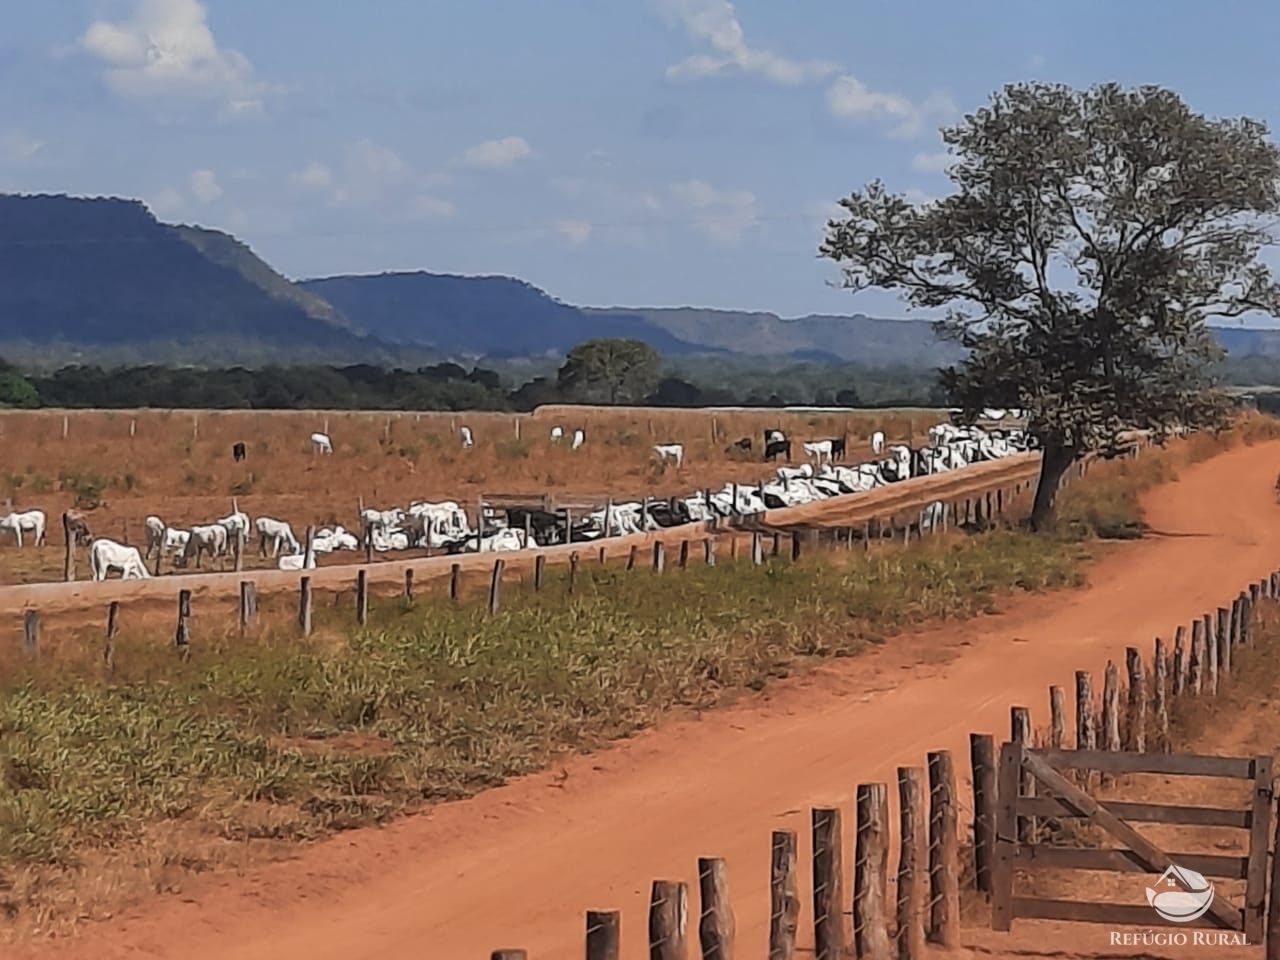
x=167 y=49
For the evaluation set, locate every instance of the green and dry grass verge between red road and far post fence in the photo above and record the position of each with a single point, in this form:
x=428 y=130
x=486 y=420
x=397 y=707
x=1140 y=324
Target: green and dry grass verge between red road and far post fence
x=124 y=785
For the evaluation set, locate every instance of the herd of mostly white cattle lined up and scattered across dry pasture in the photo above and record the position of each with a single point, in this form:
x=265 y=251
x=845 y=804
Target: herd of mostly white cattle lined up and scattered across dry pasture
x=446 y=527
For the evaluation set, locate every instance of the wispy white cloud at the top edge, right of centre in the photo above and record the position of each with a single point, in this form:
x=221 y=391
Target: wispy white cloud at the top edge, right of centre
x=715 y=24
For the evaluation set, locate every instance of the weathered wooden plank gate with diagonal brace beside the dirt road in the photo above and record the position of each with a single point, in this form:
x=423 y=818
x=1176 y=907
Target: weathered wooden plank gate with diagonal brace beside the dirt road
x=1037 y=775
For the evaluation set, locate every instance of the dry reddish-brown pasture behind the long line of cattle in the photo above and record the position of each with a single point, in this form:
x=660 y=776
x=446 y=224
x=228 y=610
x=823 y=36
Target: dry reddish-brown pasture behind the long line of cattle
x=121 y=467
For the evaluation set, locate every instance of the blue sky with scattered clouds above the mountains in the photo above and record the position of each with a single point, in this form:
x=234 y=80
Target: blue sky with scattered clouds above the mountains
x=642 y=153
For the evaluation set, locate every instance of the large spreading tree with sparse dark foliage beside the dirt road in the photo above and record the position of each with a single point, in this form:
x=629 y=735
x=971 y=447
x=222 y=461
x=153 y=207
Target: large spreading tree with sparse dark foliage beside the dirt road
x=1089 y=239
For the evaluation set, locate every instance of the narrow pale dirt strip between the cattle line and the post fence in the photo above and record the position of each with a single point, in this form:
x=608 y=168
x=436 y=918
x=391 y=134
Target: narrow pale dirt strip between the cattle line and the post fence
x=897 y=502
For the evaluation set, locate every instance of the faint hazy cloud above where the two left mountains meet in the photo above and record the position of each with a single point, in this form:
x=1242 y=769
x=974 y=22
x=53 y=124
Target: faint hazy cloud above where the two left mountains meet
x=374 y=177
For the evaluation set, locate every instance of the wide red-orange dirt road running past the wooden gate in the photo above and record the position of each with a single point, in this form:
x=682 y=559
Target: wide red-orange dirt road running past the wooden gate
x=519 y=866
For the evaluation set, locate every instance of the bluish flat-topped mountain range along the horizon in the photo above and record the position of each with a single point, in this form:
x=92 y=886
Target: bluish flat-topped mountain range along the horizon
x=104 y=281
